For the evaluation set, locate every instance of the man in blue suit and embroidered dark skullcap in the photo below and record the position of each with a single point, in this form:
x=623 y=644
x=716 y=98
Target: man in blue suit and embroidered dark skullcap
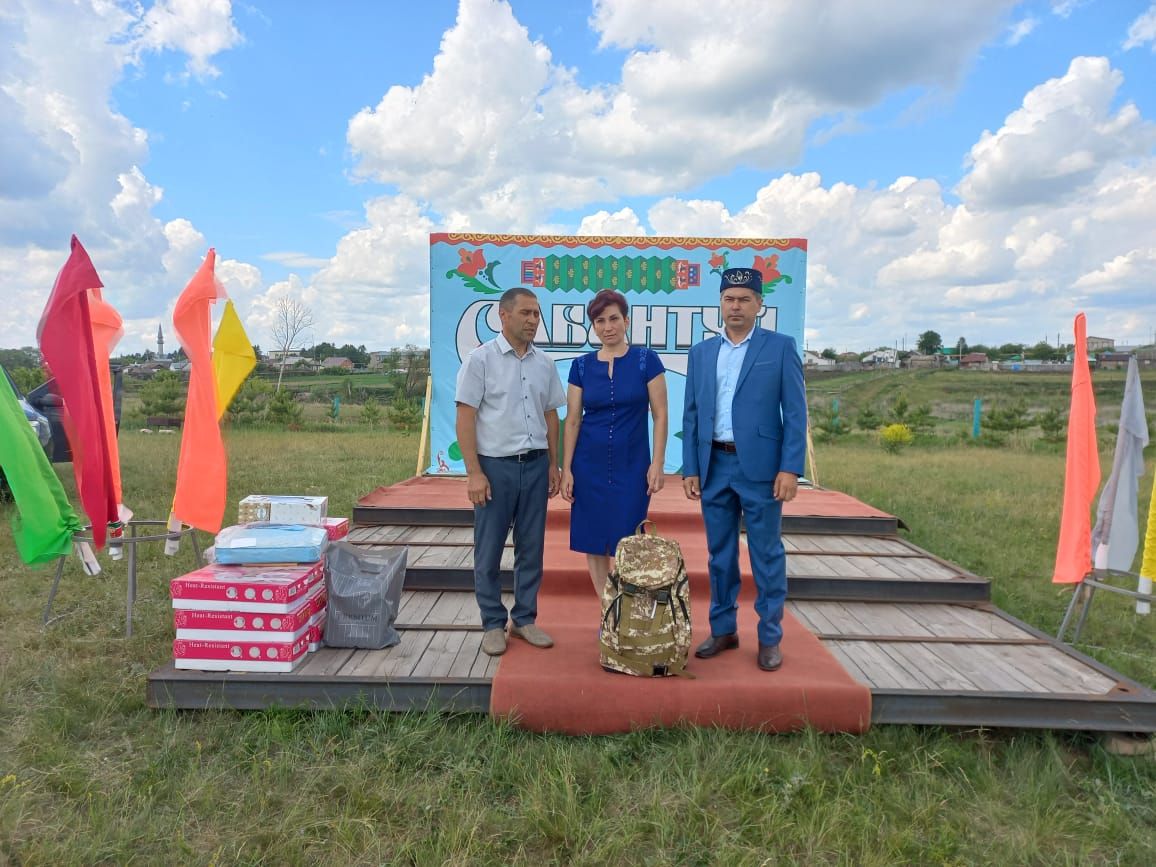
x=744 y=440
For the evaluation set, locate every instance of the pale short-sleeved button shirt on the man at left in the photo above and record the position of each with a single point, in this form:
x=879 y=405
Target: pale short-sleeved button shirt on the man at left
x=512 y=396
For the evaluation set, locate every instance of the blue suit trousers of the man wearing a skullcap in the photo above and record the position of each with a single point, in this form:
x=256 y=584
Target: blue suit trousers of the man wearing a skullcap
x=729 y=498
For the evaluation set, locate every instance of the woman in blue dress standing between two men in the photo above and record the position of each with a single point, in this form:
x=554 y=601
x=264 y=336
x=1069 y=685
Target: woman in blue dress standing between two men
x=609 y=468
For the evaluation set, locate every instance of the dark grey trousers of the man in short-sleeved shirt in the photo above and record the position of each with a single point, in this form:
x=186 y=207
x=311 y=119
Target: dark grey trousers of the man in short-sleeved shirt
x=520 y=492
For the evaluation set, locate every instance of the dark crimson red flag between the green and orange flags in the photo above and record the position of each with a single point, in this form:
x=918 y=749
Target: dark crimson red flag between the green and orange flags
x=65 y=336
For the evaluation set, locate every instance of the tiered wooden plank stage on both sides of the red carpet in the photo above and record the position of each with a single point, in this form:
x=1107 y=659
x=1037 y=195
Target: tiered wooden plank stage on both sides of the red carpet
x=921 y=633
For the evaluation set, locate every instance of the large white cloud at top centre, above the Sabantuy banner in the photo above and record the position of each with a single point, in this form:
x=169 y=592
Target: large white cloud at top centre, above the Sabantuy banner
x=520 y=138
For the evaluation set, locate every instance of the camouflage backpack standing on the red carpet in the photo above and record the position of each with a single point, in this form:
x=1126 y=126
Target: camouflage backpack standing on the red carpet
x=647 y=609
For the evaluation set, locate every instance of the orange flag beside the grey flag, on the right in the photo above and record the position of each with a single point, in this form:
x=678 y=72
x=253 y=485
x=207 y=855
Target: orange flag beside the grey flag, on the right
x=1081 y=480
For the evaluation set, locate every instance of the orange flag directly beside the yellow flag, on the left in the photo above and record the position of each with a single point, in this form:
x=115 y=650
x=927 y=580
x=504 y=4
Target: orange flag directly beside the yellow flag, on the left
x=199 y=501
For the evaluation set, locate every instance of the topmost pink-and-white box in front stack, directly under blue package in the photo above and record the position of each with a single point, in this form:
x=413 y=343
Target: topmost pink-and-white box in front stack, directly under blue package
x=255 y=589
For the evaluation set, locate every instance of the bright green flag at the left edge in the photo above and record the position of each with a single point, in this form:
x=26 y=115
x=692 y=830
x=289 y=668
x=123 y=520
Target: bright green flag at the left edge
x=45 y=523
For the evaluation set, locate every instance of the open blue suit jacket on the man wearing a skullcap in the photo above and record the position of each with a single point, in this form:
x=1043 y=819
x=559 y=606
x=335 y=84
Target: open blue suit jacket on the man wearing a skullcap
x=769 y=412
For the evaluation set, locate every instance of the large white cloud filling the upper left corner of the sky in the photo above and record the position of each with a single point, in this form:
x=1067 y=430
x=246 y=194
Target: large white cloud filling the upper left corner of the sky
x=71 y=164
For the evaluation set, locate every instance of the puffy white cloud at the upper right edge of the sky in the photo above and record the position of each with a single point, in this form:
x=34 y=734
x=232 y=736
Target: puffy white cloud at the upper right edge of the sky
x=1058 y=142
